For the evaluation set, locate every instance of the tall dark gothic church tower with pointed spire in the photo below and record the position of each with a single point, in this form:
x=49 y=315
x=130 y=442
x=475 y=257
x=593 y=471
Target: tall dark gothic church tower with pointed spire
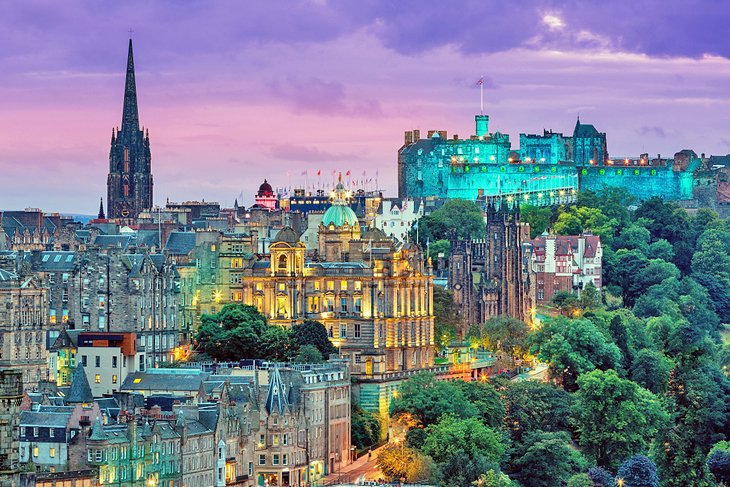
x=129 y=184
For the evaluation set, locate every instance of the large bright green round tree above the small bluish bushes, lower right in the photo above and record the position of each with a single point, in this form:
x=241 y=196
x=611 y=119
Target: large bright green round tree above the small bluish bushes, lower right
x=615 y=417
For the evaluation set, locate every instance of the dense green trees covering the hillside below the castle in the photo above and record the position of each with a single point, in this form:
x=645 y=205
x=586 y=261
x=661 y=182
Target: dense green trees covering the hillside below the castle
x=637 y=391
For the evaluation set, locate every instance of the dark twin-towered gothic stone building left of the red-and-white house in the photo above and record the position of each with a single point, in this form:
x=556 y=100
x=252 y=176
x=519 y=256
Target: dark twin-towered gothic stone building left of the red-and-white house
x=490 y=277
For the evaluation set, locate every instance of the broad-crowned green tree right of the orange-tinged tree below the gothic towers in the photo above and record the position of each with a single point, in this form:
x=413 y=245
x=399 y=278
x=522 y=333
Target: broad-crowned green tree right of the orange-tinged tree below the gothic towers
x=573 y=347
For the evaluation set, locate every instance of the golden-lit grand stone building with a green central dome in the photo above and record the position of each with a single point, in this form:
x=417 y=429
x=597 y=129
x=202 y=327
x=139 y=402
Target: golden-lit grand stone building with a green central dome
x=373 y=296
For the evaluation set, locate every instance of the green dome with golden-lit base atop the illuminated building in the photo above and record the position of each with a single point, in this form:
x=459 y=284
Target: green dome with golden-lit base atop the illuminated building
x=339 y=226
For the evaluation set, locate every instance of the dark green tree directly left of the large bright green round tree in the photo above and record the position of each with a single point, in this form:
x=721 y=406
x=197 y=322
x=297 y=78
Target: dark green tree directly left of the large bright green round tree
x=536 y=406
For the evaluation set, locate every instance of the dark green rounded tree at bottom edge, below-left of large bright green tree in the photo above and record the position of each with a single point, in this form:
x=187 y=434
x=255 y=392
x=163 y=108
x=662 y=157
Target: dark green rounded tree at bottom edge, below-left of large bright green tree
x=546 y=459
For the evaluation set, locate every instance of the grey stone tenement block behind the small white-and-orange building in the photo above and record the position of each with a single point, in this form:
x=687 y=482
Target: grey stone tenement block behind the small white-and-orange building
x=114 y=288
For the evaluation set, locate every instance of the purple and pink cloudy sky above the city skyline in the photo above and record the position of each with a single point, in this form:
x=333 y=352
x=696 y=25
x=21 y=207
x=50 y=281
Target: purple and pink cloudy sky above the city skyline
x=233 y=92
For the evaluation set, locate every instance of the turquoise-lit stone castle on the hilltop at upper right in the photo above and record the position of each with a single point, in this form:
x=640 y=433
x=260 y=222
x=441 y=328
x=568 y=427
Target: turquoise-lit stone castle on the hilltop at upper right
x=545 y=166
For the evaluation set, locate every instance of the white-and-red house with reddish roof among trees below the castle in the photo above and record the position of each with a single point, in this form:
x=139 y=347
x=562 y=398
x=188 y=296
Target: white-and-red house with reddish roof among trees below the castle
x=565 y=263
